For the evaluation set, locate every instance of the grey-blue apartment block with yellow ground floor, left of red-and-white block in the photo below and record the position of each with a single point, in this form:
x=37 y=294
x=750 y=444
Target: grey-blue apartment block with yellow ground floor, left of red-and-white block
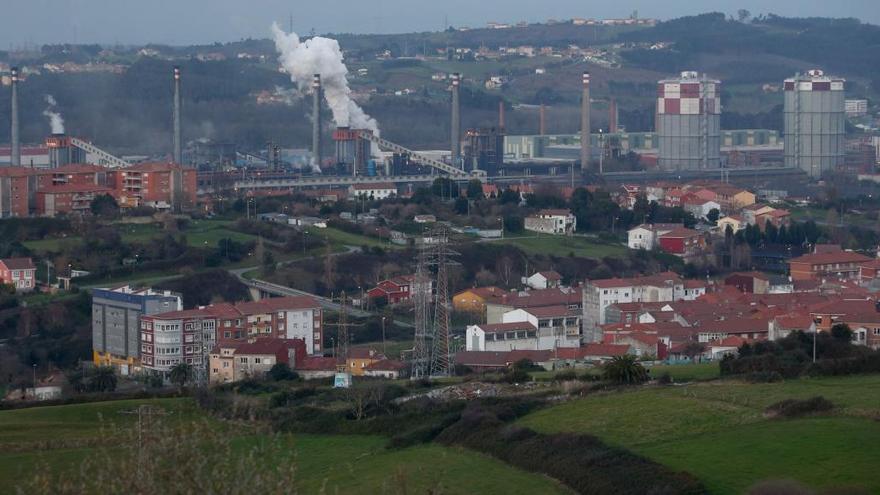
x=116 y=314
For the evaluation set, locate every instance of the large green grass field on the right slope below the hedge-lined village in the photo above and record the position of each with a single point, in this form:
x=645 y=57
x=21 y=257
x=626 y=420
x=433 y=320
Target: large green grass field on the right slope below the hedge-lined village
x=717 y=431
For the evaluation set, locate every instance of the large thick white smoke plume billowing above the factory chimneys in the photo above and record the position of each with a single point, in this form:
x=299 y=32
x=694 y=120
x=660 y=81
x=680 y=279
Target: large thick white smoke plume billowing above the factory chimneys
x=319 y=55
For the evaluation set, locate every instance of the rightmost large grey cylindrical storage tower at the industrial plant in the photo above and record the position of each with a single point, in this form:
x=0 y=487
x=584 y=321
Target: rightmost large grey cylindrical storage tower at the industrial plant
x=815 y=123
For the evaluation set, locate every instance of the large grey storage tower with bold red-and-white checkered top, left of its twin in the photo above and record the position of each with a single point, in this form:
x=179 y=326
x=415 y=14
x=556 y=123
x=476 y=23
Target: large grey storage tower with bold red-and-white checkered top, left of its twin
x=689 y=123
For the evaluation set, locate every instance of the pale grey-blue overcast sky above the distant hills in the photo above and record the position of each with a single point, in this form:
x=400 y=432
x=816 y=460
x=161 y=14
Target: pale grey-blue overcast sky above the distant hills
x=206 y=21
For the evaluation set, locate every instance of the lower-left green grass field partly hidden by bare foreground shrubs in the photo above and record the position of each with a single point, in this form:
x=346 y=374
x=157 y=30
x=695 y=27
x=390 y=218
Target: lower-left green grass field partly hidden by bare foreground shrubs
x=56 y=438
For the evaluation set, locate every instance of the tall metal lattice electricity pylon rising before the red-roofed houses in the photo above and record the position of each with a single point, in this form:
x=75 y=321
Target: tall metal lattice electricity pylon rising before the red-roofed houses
x=432 y=352
